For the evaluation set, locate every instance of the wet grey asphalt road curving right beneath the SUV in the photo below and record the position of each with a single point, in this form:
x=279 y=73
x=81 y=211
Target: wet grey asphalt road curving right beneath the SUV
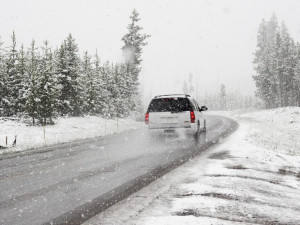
x=71 y=183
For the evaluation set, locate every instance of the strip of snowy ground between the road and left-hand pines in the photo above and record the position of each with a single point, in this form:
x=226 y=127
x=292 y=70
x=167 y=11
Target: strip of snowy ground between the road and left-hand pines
x=64 y=130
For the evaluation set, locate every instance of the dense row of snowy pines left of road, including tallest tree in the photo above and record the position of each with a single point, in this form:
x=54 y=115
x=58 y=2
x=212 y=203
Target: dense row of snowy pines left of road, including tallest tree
x=43 y=83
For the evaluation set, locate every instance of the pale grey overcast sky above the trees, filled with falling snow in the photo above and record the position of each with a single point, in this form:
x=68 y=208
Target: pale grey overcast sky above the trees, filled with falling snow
x=212 y=39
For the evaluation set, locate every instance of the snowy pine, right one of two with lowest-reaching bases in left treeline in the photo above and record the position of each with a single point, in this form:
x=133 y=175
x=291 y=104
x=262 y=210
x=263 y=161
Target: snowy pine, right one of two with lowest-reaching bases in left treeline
x=47 y=86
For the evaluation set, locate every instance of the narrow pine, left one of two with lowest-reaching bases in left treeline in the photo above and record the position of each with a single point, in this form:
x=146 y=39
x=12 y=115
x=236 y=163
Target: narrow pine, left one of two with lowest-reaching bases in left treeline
x=31 y=94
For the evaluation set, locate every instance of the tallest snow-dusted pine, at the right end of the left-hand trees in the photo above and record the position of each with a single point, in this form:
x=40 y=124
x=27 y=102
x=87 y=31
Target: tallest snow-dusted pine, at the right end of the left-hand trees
x=134 y=41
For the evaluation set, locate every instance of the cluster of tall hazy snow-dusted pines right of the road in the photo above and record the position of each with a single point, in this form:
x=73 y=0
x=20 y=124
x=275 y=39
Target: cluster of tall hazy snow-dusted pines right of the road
x=277 y=63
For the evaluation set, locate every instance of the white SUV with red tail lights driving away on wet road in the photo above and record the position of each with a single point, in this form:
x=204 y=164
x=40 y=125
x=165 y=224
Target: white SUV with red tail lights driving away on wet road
x=170 y=112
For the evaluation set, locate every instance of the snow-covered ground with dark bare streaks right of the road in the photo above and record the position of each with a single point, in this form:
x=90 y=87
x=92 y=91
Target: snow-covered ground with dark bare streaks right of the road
x=252 y=177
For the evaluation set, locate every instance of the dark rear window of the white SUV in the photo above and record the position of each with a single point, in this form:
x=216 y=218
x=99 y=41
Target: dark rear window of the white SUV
x=170 y=105
